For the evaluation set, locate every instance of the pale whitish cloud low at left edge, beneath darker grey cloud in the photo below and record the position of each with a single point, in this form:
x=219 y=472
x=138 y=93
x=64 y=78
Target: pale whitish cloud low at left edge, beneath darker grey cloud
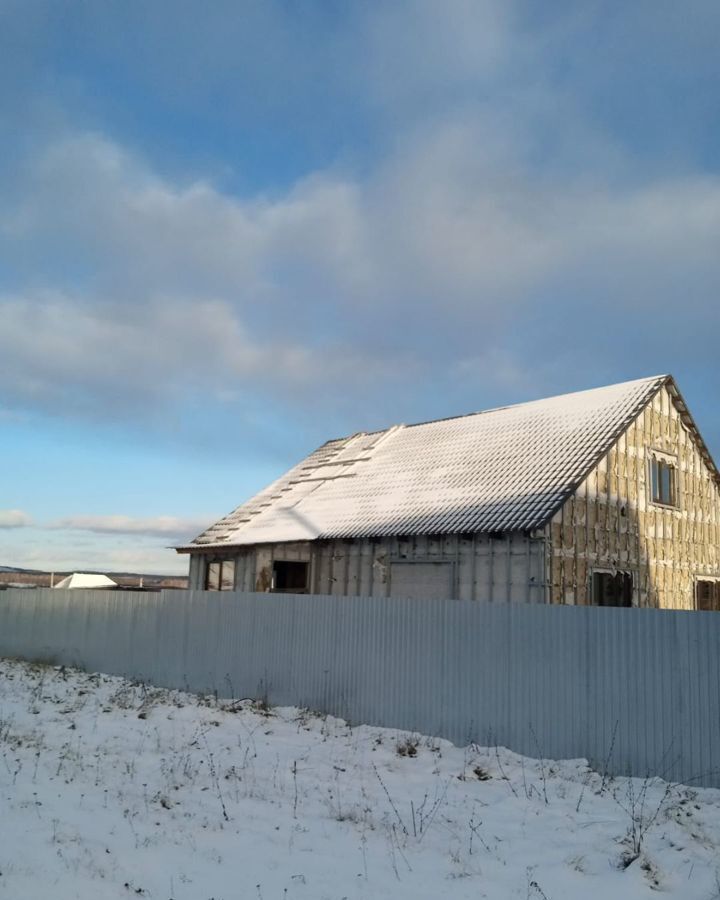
x=70 y=351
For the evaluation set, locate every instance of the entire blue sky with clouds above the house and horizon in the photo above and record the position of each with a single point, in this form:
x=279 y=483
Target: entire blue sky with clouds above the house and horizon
x=230 y=231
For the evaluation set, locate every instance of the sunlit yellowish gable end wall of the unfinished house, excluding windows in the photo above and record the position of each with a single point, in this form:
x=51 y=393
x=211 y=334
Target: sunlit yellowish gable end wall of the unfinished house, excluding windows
x=610 y=522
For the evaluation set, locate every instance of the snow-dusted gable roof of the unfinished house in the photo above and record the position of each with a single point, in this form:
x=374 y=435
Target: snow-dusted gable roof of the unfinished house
x=506 y=469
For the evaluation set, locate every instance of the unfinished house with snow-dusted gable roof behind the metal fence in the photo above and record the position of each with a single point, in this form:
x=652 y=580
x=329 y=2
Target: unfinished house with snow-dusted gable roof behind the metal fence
x=607 y=496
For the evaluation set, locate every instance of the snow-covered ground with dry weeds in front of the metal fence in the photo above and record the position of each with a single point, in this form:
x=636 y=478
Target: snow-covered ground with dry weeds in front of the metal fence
x=113 y=790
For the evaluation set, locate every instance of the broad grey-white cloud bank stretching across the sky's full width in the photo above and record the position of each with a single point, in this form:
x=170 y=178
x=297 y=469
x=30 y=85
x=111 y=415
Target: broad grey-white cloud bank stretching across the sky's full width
x=343 y=284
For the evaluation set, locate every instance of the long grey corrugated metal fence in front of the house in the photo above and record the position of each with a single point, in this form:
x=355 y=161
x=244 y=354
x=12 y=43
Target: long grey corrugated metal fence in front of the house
x=635 y=691
